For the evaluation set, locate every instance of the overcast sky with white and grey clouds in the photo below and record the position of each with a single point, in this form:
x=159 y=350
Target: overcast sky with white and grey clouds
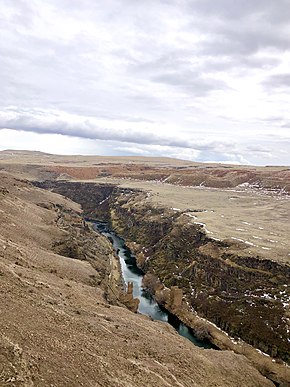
x=200 y=80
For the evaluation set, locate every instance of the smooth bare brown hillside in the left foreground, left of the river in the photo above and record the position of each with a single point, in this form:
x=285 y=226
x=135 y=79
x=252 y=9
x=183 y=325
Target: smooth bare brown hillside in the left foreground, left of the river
x=56 y=325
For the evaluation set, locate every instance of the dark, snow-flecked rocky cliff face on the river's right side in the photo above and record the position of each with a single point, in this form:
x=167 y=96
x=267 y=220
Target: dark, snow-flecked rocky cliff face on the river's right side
x=245 y=296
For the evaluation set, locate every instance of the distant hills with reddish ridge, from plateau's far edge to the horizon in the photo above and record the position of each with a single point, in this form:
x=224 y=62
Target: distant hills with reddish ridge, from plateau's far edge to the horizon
x=172 y=171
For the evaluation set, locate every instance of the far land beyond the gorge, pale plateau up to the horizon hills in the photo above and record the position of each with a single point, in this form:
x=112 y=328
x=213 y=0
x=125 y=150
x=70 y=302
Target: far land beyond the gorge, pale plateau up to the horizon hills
x=257 y=217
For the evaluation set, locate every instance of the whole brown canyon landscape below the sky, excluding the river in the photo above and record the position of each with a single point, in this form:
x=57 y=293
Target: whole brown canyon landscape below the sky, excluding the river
x=214 y=251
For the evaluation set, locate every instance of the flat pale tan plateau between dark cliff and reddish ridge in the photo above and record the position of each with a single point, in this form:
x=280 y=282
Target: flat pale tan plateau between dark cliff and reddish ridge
x=258 y=220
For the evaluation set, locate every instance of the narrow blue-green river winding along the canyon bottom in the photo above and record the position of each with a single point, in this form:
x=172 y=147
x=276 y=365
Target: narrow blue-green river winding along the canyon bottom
x=131 y=273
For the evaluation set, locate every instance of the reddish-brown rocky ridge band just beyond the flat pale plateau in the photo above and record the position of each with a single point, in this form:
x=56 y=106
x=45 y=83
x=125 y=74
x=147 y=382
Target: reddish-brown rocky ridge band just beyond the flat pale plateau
x=209 y=176
